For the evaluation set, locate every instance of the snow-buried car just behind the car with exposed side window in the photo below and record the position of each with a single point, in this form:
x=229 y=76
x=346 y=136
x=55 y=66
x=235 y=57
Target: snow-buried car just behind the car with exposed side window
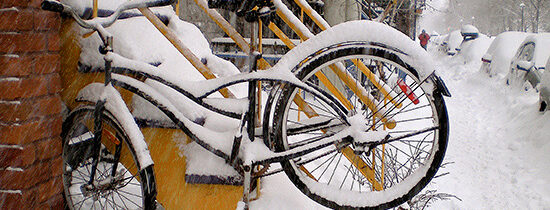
x=496 y=60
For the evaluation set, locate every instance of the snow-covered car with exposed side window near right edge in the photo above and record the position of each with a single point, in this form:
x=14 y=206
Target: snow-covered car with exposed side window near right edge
x=529 y=62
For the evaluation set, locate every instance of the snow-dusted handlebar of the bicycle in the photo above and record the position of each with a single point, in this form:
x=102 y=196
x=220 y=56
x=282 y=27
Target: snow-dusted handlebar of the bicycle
x=55 y=6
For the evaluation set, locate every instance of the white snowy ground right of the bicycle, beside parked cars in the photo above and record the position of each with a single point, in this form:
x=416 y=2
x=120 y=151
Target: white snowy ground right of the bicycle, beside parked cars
x=498 y=146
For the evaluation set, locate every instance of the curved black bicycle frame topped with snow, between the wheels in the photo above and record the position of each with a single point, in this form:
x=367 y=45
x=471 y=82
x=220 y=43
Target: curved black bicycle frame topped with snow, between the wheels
x=122 y=65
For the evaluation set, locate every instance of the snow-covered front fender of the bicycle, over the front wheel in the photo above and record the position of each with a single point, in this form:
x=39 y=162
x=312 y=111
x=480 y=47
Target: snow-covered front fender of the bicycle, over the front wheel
x=95 y=92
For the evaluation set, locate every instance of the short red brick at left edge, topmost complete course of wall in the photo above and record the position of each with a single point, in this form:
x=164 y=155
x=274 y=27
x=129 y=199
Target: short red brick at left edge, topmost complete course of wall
x=19 y=20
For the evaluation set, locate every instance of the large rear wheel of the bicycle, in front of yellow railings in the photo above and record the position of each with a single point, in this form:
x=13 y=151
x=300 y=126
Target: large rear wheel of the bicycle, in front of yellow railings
x=338 y=176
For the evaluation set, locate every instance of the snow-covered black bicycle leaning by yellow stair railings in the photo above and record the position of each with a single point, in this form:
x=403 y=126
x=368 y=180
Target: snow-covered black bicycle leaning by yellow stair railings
x=380 y=101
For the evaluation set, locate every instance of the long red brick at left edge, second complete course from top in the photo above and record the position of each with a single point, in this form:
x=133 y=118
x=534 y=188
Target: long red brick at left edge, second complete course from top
x=22 y=42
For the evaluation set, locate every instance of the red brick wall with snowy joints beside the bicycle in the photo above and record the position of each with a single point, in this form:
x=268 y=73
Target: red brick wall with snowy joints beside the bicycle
x=30 y=106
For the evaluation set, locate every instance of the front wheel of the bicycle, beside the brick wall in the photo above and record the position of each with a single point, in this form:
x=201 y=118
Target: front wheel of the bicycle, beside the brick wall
x=126 y=189
